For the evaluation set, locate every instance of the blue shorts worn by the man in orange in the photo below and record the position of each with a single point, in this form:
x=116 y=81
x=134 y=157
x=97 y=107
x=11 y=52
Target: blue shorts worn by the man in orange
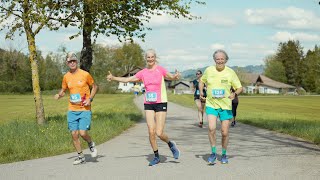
x=79 y=120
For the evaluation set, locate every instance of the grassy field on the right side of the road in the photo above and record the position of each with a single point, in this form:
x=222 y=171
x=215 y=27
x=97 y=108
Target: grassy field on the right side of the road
x=294 y=115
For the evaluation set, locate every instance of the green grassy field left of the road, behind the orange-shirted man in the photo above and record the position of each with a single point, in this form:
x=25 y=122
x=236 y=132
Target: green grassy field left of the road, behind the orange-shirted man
x=21 y=138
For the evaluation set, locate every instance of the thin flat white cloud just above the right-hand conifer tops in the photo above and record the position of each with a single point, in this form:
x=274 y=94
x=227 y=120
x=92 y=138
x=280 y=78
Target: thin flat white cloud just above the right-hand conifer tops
x=285 y=36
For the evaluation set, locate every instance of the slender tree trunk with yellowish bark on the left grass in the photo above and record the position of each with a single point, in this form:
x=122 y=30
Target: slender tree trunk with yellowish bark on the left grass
x=35 y=79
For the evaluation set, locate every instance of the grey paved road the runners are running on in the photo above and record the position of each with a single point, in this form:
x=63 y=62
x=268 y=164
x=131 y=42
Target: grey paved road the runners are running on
x=253 y=154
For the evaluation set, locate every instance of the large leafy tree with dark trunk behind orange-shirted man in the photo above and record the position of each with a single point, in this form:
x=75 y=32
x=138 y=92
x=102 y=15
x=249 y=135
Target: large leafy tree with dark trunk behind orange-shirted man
x=124 y=18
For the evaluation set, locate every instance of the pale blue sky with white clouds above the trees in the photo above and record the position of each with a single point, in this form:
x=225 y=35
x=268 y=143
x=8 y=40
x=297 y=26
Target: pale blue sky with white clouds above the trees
x=248 y=30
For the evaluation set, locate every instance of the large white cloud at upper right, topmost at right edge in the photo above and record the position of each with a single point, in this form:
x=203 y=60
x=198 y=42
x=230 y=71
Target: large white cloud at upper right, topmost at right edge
x=290 y=17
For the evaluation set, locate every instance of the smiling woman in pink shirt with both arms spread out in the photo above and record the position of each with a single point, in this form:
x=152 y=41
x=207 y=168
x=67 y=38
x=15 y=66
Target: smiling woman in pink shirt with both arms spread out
x=155 y=101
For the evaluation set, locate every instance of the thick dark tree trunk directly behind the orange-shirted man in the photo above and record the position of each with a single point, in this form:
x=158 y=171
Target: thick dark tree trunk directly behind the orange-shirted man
x=86 y=52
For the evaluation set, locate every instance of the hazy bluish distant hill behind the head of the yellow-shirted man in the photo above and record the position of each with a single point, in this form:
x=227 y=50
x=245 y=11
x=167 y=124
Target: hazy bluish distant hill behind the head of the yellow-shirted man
x=256 y=69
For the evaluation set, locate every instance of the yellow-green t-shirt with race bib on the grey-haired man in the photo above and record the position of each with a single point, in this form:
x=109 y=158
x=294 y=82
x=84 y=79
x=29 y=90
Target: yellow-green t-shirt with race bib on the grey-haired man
x=220 y=82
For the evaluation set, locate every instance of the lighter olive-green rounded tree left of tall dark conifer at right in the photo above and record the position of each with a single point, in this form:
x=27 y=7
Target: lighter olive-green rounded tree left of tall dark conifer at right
x=274 y=69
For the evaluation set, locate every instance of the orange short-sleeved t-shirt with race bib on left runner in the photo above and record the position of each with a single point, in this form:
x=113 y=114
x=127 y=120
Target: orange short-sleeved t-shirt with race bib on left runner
x=78 y=84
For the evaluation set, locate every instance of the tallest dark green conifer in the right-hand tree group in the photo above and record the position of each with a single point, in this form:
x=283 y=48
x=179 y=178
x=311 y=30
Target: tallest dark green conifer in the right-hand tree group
x=291 y=55
